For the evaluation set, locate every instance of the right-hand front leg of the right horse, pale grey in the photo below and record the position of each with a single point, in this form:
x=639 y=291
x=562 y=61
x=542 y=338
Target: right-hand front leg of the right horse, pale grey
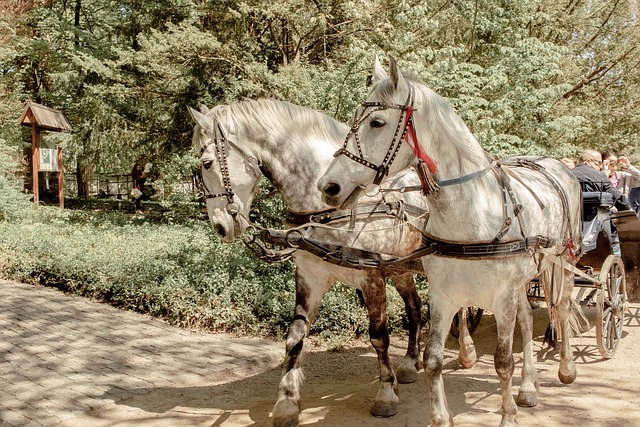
x=503 y=359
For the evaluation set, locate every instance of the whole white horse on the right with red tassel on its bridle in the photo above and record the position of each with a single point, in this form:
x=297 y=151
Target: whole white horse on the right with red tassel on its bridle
x=493 y=228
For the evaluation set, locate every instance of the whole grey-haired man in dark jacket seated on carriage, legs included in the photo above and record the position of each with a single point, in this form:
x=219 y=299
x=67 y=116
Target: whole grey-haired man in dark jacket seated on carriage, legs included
x=598 y=194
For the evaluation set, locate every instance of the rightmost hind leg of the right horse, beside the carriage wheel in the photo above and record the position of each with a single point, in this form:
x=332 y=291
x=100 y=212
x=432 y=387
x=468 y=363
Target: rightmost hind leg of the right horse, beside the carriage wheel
x=567 y=372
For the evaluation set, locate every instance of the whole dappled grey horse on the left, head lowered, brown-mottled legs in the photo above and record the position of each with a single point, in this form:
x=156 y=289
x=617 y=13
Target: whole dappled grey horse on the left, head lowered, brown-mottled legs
x=292 y=146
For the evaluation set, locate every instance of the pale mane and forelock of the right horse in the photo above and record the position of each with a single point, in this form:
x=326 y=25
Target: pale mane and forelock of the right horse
x=442 y=122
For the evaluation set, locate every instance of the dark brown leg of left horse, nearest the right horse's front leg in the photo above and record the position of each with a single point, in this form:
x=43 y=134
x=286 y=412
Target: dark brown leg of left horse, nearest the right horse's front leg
x=407 y=371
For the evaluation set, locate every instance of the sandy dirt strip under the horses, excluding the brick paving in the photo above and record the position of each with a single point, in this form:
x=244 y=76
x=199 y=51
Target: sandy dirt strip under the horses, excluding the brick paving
x=340 y=387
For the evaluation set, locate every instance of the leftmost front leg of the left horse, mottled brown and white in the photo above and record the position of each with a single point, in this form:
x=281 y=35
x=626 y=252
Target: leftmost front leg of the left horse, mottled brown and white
x=308 y=297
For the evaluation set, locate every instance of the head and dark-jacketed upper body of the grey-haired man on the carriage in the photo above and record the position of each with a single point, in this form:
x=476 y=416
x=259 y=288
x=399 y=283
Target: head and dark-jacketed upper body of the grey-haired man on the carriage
x=589 y=173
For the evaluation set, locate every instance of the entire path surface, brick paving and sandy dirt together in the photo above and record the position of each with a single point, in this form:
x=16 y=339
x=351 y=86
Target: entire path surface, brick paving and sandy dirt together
x=67 y=361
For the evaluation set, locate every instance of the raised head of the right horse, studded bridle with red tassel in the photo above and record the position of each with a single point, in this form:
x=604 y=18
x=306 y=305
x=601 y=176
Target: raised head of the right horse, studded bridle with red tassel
x=373 y=148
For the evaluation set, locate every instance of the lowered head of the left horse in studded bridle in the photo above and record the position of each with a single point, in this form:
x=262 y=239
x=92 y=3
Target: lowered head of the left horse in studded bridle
x=230 y=176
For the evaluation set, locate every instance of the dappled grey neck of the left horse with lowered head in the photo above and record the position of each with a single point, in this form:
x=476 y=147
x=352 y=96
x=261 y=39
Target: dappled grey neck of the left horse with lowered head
x=292 y=159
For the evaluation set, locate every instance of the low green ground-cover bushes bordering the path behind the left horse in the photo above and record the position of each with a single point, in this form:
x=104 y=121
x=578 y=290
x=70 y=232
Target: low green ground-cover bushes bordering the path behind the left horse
x=172 y=267
